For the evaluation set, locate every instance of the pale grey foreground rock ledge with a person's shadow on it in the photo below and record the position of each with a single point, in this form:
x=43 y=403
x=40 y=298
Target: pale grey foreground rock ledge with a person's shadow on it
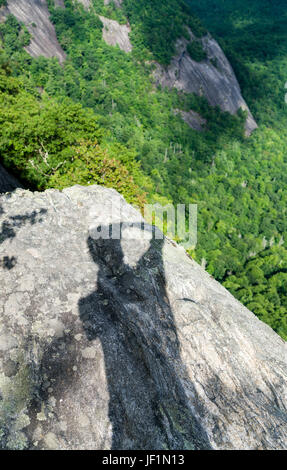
x=124 y=344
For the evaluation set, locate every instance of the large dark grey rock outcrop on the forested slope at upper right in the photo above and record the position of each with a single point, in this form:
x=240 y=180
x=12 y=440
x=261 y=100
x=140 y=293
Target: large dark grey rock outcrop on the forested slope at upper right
x=213 y=77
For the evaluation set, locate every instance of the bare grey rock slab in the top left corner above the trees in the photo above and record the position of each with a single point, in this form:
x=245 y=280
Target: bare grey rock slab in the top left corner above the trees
x=36 y=17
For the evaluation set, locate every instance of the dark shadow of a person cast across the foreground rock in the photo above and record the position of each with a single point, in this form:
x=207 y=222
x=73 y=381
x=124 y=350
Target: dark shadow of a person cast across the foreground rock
x=129 y=312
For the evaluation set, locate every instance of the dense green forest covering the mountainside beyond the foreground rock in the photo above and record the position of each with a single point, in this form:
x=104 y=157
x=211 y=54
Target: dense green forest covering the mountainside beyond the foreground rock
x=100 y=119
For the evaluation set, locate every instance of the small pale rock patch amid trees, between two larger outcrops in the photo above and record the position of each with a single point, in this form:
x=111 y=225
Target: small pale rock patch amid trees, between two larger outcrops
x=116 y=34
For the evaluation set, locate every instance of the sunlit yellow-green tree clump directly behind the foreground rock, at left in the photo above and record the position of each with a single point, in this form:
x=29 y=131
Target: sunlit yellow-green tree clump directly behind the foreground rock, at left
x=55 y=144
